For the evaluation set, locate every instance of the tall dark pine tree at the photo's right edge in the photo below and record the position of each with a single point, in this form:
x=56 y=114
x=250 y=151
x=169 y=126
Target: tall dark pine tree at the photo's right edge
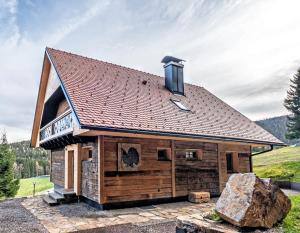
x=292 y=104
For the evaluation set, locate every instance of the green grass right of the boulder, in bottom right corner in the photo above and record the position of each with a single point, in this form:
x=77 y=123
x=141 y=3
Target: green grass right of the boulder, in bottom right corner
x=291 y=223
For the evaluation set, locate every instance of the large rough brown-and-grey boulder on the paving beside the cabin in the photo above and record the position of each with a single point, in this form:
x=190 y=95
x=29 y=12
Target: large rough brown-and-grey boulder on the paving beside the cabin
x=248 y=201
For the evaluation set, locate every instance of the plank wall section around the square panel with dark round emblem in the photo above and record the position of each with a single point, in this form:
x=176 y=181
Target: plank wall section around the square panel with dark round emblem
x=152 y=180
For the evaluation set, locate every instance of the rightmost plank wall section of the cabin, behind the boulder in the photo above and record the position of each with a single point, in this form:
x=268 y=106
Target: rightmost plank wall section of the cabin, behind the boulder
x=243 y=166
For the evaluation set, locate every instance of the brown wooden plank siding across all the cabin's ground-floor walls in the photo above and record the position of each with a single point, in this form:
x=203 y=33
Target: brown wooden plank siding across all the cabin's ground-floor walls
x=153 y=179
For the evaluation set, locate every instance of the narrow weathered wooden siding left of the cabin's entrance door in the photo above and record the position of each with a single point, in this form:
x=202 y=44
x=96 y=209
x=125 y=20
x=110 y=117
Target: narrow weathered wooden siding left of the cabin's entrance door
x=58 y=167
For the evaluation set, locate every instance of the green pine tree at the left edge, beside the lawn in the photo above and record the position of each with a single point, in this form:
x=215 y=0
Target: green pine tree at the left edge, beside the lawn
x=8 y=184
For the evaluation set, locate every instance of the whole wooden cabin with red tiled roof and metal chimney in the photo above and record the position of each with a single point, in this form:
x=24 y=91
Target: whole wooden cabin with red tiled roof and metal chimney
x=119 y=135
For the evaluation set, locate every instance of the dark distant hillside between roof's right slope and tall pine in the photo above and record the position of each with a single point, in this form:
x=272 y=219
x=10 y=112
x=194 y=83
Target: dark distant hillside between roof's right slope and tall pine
x=277 y=127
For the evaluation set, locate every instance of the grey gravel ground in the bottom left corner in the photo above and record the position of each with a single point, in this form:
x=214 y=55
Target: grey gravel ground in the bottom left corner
x=15 y=218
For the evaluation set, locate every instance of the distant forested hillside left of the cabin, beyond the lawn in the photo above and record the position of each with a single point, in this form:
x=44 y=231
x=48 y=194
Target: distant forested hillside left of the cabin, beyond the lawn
x=30 y=162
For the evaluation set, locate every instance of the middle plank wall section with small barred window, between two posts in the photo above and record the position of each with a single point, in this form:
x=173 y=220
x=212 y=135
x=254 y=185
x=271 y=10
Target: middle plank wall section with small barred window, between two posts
x=199 y=175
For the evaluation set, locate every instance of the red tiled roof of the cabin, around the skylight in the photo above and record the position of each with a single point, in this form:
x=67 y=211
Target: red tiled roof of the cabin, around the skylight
x=108 y=95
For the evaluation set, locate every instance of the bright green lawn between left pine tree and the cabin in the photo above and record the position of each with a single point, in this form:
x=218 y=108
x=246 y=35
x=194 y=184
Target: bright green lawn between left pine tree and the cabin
x=41 y=184
